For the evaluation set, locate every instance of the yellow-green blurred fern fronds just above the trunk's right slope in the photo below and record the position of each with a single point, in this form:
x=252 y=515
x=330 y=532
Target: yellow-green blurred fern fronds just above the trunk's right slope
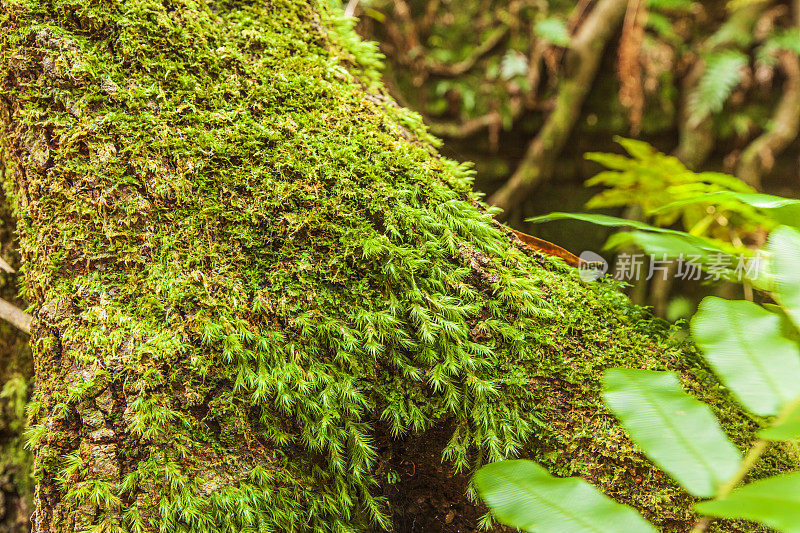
x=721 y=219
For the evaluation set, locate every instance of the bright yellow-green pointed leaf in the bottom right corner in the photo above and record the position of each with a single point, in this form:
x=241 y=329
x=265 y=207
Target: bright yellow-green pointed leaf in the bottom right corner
x=774 y=502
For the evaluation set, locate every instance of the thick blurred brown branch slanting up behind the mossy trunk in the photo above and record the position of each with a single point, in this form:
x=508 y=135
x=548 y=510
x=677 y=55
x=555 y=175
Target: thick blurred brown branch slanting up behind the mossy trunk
x=585 y=53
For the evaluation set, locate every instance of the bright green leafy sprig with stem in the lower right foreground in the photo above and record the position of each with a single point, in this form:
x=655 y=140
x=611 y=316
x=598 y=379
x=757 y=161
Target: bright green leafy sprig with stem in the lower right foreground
x=755 y=352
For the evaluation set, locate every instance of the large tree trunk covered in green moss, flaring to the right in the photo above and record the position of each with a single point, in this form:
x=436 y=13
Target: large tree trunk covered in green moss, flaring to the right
x=265 y=303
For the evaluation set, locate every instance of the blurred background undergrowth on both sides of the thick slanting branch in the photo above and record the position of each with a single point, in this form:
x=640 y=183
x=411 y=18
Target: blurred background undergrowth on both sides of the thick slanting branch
x=479 y=68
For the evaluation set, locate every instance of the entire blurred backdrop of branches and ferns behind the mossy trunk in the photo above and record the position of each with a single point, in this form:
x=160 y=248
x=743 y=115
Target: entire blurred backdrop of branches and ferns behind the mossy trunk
x=717 y=83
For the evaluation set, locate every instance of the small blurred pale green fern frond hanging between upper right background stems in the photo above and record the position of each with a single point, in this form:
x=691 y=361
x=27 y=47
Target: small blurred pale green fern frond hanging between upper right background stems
x=721 y=75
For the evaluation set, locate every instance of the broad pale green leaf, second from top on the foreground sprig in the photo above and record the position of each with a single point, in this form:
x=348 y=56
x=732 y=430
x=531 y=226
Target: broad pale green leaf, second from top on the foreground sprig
x=743 y=343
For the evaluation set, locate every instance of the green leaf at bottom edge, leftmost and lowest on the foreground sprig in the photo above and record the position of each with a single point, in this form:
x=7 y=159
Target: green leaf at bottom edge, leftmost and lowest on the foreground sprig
x=524 y=495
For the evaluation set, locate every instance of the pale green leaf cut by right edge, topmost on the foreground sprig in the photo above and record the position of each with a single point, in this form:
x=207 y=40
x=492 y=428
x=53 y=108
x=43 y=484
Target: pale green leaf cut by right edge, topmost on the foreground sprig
x=784 y=249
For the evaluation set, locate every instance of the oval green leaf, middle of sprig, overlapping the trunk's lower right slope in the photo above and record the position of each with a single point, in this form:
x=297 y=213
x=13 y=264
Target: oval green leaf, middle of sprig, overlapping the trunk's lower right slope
x=677 y=432
